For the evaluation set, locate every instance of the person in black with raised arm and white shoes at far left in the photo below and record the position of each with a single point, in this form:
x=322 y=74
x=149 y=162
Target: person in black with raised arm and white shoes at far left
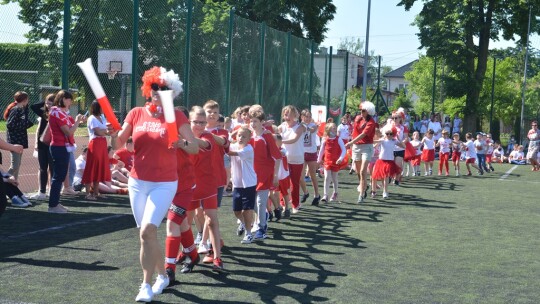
x=43 y=151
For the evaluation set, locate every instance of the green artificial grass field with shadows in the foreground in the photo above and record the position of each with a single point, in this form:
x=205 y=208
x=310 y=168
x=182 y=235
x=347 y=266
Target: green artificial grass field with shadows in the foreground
x=438 y=240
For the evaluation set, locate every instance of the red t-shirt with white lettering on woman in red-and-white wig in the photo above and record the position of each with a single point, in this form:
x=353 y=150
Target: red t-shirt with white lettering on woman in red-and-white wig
x=153 y=160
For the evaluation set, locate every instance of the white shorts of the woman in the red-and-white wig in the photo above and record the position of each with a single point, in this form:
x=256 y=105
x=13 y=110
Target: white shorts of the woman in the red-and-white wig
x=150 y=201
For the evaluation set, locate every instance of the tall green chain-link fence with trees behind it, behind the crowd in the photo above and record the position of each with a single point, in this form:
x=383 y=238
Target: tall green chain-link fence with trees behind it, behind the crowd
x=217 y=54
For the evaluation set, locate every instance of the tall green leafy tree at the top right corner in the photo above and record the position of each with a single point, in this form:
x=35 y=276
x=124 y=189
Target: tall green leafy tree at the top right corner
x=460 y=32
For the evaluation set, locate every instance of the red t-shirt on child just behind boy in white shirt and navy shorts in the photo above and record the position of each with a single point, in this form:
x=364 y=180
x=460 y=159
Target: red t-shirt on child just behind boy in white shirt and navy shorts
x=266 y=152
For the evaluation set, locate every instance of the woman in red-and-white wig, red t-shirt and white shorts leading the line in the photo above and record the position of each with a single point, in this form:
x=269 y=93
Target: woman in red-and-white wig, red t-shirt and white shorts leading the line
x=154 y=179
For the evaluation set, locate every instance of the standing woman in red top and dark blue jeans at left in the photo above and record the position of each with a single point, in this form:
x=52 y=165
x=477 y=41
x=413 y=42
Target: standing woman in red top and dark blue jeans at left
x=63 y=126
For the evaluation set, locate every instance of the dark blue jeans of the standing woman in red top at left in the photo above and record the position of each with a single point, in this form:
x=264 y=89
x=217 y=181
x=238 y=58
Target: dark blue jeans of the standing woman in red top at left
x=60 y=167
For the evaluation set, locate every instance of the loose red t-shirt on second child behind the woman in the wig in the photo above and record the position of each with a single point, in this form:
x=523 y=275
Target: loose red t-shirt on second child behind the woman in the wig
x=203 y=165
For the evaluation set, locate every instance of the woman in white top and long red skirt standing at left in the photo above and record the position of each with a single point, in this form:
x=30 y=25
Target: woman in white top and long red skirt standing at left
x=97 y=167
